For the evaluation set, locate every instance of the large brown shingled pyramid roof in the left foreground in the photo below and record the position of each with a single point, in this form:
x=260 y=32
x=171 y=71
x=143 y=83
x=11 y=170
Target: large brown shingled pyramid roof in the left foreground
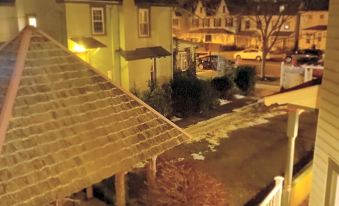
x=68 y=127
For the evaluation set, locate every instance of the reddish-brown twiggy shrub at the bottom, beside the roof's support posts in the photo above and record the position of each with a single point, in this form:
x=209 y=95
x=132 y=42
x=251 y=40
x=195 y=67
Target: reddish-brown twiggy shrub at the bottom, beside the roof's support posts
x=180 y=184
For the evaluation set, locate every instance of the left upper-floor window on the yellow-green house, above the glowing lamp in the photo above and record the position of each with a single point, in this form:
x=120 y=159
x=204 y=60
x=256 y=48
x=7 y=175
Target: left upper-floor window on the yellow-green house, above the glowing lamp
x=98 y=21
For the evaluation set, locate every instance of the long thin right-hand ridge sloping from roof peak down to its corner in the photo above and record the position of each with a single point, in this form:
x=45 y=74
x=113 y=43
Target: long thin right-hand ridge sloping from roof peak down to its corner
x=109 y=80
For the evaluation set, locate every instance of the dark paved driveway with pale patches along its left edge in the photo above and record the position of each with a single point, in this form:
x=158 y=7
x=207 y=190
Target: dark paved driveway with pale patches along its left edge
x=245 y=149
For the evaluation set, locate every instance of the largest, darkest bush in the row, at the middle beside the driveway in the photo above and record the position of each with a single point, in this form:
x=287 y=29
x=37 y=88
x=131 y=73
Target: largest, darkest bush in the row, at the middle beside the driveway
x=190 y=95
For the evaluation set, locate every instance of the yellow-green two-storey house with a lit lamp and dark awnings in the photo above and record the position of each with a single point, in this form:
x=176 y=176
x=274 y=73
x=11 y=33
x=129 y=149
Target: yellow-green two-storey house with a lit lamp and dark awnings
x=130 y=40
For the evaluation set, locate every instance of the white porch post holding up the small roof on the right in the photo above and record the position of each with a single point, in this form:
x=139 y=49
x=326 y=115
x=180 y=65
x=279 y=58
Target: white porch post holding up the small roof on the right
x=292 y=133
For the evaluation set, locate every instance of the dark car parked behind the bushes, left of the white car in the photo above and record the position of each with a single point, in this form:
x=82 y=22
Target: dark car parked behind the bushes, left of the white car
x=212 y=62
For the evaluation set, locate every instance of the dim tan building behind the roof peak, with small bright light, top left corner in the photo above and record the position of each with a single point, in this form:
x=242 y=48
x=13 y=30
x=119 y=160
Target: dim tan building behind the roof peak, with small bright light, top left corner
x=45 y=14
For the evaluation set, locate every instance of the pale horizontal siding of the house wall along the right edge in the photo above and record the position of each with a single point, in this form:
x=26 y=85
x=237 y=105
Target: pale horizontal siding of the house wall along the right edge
x=328 y=128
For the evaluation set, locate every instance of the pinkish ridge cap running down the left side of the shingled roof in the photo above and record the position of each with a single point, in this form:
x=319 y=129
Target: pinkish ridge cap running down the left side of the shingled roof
x=6 y=110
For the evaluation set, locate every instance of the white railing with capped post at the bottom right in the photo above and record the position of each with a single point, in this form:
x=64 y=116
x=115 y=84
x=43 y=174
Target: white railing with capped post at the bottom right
x=274 y=197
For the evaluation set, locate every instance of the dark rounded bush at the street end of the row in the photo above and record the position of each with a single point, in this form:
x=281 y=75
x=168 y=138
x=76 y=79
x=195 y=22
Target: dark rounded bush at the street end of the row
x=245 y=78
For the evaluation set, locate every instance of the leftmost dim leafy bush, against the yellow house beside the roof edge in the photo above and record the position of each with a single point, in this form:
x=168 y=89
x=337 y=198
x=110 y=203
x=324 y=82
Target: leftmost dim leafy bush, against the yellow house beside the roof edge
x=159 y=98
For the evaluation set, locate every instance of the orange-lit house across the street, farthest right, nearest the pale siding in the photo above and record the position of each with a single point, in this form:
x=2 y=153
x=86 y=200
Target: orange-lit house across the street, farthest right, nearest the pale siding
x=313 y=29
